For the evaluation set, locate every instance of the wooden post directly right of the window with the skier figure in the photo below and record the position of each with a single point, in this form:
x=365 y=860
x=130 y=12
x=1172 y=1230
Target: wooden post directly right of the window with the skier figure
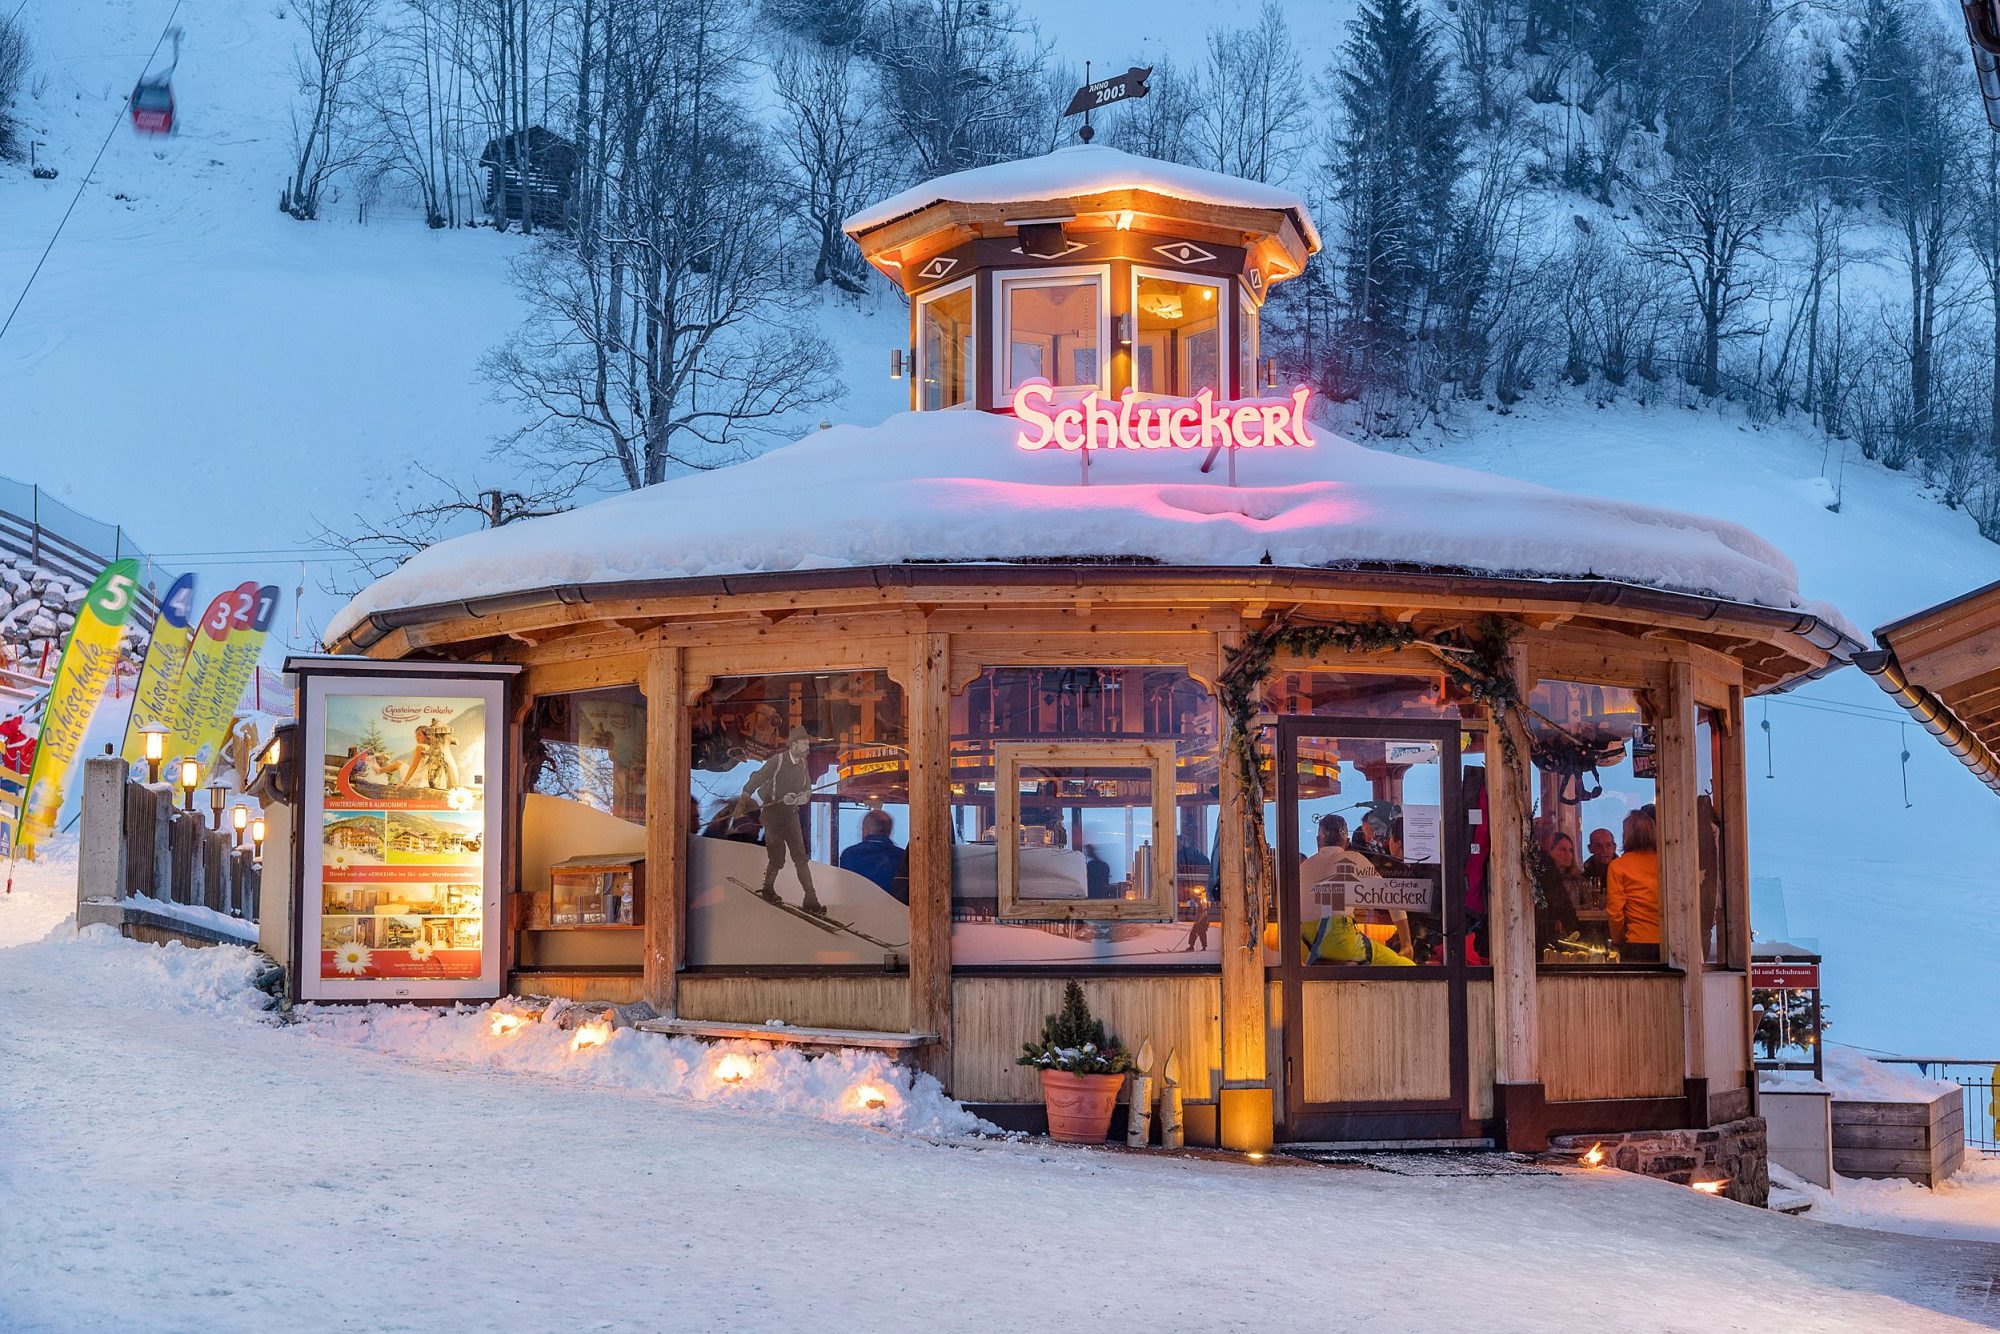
x=931 y=849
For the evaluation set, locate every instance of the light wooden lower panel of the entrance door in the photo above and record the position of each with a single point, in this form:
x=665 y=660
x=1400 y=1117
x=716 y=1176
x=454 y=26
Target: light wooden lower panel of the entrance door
x=1375 y=1041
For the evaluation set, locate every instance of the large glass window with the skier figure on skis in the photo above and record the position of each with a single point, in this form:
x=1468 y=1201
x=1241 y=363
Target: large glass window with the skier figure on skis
x=803 y=787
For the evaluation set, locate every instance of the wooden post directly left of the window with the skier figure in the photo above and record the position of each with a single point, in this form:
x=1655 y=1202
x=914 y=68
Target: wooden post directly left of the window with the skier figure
x=667 y=829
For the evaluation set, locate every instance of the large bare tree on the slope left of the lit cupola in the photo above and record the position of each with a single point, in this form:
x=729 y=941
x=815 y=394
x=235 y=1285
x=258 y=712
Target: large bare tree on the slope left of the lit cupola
x=661 y=333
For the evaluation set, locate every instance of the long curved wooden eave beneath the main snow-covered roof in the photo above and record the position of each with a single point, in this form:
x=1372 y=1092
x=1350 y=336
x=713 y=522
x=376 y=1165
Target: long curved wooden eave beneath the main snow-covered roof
x=1777 y=647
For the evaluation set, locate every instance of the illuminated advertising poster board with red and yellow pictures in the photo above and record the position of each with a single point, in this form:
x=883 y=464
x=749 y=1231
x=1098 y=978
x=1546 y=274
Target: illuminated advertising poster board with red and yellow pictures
x=401 y=841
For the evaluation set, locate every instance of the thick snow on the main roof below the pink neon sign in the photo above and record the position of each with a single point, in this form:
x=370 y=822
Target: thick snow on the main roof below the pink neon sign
x=953 y=487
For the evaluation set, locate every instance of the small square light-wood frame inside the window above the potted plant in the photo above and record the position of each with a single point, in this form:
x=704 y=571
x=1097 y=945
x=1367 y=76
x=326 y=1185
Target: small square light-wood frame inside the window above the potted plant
x=1009 y=761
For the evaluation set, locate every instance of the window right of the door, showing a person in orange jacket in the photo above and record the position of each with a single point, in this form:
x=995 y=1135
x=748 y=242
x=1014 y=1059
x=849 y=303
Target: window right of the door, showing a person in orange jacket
x=1597 y=825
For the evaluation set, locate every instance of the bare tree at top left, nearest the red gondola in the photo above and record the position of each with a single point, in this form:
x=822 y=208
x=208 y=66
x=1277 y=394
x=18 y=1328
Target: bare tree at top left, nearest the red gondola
x=327 y=135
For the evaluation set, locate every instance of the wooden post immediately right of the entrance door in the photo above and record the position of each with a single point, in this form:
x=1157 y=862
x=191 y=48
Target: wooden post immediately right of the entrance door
x=1511 y=931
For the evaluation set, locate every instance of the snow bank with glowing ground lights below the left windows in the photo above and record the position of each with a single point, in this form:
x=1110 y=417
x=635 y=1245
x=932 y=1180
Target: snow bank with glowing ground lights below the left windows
x=859 y=1089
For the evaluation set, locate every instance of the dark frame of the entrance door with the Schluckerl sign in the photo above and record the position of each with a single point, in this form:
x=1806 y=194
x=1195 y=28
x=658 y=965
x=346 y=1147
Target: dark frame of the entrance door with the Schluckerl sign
x=1409 y=1119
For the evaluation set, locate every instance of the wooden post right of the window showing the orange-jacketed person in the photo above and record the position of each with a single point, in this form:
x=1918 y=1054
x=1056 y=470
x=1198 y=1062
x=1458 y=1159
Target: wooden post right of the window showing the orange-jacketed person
x=1681 y=881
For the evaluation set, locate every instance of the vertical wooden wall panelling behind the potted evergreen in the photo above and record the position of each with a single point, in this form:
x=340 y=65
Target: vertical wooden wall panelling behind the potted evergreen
x=993 y=1017
